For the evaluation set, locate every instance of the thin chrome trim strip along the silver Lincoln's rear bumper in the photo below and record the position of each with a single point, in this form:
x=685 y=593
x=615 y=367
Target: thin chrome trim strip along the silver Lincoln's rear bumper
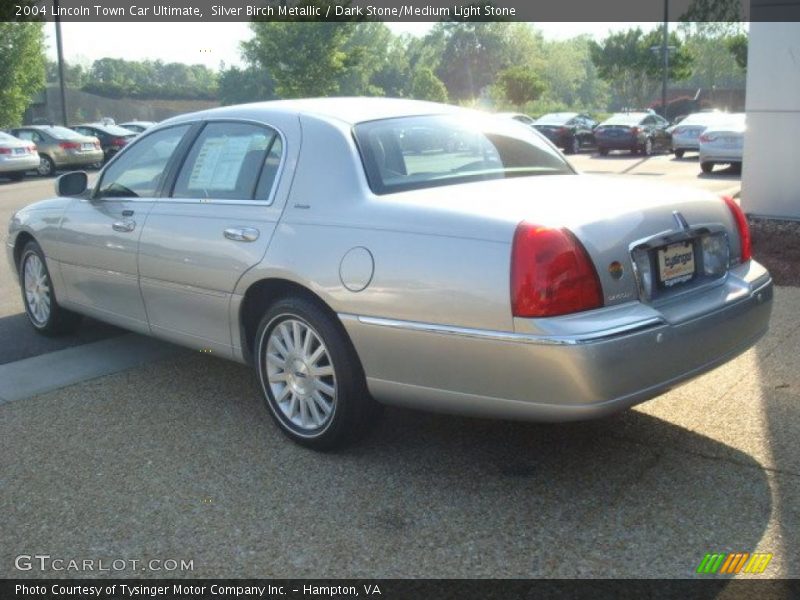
x=504 y=336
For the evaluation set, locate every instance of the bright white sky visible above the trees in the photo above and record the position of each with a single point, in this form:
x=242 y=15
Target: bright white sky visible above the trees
x=210 y=43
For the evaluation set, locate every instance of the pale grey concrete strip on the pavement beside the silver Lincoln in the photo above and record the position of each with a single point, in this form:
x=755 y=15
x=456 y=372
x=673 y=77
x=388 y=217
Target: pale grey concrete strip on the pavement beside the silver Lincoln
x=47 y=372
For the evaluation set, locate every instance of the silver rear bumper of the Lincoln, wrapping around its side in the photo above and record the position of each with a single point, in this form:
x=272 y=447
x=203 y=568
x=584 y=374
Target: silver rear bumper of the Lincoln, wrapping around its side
x=530 y=377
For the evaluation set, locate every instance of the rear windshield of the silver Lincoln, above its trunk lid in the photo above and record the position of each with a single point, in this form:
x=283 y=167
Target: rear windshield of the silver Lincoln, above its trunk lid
x=410 y=153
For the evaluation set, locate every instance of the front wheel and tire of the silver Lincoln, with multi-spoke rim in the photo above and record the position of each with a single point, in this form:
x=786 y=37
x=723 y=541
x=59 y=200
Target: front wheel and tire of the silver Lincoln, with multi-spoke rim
x=44 y=312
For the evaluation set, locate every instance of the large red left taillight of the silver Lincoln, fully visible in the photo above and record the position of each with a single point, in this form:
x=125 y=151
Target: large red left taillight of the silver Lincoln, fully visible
x=551 y=274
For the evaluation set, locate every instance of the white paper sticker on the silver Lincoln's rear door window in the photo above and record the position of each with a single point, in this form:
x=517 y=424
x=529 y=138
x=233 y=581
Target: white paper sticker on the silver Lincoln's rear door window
x=219 y=162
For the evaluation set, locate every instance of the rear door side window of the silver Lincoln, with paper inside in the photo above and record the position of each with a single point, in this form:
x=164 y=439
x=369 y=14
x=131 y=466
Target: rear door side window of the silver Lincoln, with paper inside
x=231 y=161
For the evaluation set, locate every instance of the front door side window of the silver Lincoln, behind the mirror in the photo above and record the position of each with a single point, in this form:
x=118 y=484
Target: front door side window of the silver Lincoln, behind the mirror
x=139 y=171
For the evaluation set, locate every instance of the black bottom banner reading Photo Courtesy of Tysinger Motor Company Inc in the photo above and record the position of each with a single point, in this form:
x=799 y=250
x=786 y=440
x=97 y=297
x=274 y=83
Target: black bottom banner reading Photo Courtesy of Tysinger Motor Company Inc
x=391 y=589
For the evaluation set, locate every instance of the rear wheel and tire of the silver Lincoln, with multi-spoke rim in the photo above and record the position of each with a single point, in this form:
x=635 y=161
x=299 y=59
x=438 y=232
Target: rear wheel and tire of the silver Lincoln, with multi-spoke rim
x=310 y=375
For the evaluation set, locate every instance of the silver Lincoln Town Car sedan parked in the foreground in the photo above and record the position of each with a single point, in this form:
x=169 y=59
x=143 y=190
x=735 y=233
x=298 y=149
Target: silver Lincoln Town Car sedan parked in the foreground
x=368 y=251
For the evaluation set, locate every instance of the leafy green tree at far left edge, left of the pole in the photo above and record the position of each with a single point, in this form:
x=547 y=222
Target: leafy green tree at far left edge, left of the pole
x=22 y=69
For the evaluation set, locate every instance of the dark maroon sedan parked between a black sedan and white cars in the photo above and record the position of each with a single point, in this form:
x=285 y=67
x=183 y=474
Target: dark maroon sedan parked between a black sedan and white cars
x=638 y=132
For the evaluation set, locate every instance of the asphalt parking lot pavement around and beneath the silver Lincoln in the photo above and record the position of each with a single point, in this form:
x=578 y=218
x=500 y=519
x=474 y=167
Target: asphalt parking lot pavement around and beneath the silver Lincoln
x=176 y=458
